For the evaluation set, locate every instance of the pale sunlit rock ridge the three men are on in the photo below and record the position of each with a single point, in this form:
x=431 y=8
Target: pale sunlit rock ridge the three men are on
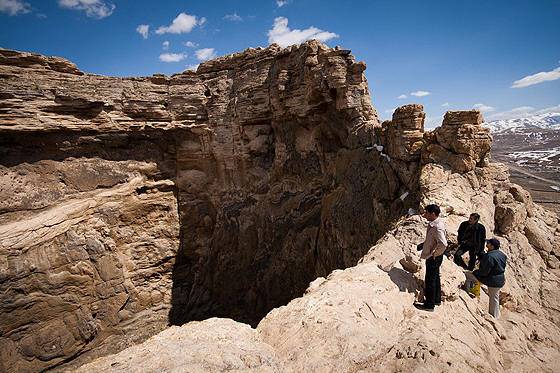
x=362 y=318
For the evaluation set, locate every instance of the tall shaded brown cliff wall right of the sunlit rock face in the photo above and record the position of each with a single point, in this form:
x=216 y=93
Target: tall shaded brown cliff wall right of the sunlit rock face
x=287 y=189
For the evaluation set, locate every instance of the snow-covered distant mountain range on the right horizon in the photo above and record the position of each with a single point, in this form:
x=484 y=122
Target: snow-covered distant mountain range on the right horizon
x=531 y=123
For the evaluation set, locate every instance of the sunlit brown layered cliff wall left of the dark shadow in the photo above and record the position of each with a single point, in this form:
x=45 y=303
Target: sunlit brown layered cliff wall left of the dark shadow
x=89 y=224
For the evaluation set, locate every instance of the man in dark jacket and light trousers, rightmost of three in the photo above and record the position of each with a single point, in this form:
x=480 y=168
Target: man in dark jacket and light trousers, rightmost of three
x=492 y=274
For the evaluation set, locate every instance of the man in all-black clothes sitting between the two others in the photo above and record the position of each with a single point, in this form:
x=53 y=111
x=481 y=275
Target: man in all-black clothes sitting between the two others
x=471 y=237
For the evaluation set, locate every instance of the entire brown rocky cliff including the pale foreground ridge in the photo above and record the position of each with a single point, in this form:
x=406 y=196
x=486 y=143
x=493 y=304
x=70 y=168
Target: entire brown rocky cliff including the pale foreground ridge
x=128 y=204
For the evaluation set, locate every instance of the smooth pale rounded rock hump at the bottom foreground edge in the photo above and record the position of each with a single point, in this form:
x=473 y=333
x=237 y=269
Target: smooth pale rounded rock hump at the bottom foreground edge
x=213 y=345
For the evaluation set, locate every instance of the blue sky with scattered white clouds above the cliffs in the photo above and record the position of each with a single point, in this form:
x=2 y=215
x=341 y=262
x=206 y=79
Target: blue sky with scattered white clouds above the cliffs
x=500 y=56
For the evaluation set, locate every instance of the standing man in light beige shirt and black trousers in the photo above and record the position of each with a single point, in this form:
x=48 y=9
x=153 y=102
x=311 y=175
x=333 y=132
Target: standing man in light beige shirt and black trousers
x=432 y=250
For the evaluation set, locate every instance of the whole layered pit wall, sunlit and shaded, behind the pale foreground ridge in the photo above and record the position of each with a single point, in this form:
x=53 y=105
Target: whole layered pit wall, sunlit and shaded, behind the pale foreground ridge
x=131 y=203
